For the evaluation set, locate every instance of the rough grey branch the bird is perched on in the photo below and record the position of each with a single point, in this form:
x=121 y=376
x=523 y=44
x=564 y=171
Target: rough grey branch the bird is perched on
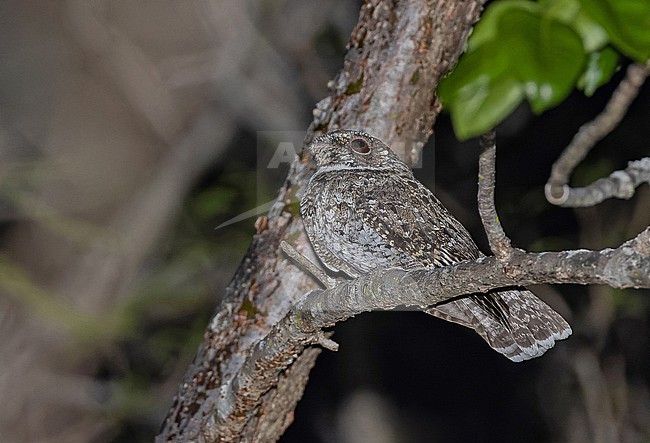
x=627 y=266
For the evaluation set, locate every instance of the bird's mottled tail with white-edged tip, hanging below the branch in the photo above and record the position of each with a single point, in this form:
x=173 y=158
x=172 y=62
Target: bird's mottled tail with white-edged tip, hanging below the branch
x=514 y=322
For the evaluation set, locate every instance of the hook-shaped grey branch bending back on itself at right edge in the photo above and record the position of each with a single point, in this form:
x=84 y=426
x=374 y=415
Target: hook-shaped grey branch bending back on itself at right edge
x=619 y=184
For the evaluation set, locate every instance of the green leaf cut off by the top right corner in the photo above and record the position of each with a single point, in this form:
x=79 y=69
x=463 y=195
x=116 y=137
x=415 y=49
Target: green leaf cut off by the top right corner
x=626 y=21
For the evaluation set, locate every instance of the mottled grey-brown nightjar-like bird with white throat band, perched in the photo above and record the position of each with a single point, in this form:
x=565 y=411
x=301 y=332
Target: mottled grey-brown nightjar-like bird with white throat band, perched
x=364 y=209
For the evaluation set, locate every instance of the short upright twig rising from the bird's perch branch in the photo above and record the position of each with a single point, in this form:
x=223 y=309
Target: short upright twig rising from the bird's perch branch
x=499 y=241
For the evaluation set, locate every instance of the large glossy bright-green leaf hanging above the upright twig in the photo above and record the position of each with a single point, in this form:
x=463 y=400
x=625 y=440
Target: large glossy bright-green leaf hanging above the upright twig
x=520 y=53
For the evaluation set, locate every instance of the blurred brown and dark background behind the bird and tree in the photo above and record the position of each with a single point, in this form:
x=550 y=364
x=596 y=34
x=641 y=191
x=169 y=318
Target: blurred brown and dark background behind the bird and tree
x=129 y=131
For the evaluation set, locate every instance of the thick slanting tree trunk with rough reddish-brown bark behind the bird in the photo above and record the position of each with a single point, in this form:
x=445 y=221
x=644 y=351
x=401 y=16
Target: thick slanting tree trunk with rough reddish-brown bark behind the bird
x=397 y=54
